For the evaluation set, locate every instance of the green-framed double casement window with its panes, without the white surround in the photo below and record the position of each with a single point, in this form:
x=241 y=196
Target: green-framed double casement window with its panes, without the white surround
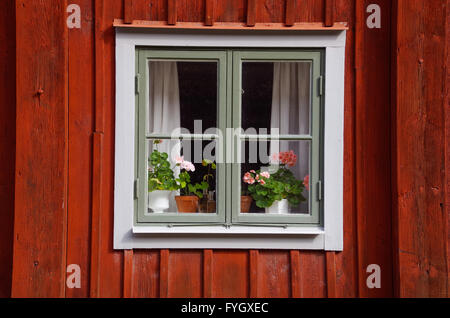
x=187 y=114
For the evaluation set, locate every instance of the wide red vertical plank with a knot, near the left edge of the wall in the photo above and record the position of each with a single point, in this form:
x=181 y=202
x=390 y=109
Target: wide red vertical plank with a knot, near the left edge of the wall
x=41 y=149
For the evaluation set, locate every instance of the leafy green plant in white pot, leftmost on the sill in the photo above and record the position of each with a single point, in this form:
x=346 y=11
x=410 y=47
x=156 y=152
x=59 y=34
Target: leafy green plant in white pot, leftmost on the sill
x=161 y=181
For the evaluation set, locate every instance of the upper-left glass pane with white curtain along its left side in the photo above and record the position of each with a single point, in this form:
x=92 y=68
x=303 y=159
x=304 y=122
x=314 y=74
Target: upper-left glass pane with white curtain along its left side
x=182 y=94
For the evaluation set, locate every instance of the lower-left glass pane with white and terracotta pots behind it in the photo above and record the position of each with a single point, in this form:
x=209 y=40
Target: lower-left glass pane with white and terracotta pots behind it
x=181 y=176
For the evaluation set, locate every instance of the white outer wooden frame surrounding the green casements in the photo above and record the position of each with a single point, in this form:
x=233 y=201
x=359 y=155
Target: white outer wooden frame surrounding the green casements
x=327 y=237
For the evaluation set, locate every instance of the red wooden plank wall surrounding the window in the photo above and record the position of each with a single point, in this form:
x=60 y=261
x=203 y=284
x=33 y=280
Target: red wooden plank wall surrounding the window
x=395 y=212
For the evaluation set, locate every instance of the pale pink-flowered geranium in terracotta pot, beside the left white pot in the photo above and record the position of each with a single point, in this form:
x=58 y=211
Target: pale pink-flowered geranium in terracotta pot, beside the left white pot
x=187 y=201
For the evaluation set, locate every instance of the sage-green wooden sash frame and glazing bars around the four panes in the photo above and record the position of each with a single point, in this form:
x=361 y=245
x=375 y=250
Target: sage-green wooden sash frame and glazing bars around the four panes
x=232 y=110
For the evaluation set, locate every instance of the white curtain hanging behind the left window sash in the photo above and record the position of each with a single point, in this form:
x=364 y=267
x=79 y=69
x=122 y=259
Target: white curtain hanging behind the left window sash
x=164 y=108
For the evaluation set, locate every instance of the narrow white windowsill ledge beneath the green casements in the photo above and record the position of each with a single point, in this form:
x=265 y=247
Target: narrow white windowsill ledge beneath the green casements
x=232 y=230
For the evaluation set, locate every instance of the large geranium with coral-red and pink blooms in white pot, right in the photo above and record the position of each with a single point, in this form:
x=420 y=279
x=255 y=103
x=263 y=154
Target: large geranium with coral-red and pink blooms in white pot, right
x=277 y=191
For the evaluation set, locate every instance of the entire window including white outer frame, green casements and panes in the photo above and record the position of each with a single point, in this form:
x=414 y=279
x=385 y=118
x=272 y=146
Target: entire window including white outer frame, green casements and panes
x=228 y=141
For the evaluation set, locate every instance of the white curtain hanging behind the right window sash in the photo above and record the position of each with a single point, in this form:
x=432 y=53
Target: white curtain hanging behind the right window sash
x=291 y=112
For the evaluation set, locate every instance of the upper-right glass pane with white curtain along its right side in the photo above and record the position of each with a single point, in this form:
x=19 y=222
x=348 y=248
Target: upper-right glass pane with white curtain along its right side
x=276 y=97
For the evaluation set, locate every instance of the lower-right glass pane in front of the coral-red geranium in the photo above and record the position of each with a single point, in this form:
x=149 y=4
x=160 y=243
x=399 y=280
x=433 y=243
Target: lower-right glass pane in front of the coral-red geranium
x=275 y=177
